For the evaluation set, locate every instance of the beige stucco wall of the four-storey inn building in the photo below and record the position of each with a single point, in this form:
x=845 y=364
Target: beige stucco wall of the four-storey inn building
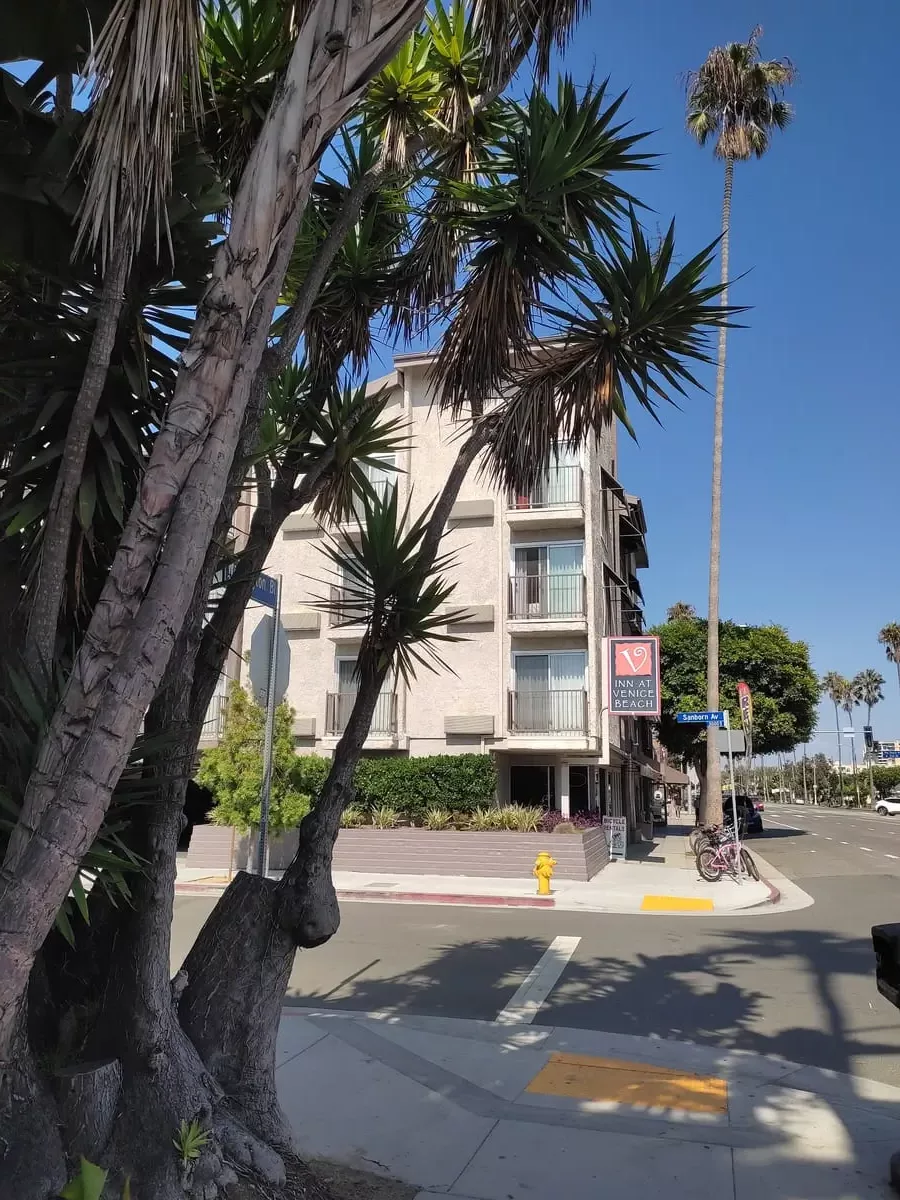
x=481 y=664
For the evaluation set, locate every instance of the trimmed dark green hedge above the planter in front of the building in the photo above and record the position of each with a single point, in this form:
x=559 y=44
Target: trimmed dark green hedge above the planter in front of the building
x=460 y=783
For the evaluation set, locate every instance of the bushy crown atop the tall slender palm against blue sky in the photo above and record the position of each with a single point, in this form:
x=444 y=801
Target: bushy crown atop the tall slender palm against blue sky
x=736 y=98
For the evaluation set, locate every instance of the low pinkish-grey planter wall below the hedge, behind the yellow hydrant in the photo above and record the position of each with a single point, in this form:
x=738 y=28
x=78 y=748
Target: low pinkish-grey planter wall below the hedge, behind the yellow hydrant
x=579 y=856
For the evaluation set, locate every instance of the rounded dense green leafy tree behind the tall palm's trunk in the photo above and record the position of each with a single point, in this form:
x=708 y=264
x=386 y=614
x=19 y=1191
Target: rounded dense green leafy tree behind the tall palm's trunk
x=776 y=668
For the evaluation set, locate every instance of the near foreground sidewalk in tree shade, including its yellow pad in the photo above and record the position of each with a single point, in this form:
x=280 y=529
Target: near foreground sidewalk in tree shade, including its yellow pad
x=473 y=1111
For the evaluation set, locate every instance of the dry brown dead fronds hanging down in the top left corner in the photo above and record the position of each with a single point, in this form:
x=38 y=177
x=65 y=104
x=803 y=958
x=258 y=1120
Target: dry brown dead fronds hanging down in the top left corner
x=146 y=70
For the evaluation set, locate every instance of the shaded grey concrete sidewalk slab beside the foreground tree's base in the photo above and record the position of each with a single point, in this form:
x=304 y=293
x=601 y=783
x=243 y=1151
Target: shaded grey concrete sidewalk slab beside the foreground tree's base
x=349 y=1107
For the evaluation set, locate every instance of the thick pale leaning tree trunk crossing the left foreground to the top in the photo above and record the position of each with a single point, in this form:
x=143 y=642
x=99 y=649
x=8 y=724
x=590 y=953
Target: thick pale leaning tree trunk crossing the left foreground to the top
x=154 y=574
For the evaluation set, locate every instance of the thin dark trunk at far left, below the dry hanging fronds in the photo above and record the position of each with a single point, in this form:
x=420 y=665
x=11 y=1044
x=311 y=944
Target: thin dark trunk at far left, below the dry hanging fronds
x=50 y=586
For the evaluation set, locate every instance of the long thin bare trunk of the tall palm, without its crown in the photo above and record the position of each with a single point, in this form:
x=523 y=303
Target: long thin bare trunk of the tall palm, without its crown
x=713 y=800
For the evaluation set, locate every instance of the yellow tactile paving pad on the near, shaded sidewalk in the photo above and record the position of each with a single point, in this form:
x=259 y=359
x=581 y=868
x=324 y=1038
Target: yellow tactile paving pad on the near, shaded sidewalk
x=637 y=1084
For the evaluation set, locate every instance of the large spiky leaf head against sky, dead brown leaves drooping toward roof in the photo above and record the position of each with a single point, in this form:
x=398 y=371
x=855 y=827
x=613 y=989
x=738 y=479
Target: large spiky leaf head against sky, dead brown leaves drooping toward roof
x=548 y=199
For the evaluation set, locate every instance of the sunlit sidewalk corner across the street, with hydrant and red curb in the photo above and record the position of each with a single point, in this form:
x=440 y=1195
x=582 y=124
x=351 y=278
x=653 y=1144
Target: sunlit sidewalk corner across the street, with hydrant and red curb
x=658 y=878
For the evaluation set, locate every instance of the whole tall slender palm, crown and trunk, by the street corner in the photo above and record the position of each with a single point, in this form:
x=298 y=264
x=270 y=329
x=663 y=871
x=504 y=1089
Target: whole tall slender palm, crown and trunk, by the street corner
x=734 y=99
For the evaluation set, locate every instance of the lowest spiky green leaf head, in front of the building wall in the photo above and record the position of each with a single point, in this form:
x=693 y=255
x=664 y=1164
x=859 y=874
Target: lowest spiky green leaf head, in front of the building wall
x=385 y=580
